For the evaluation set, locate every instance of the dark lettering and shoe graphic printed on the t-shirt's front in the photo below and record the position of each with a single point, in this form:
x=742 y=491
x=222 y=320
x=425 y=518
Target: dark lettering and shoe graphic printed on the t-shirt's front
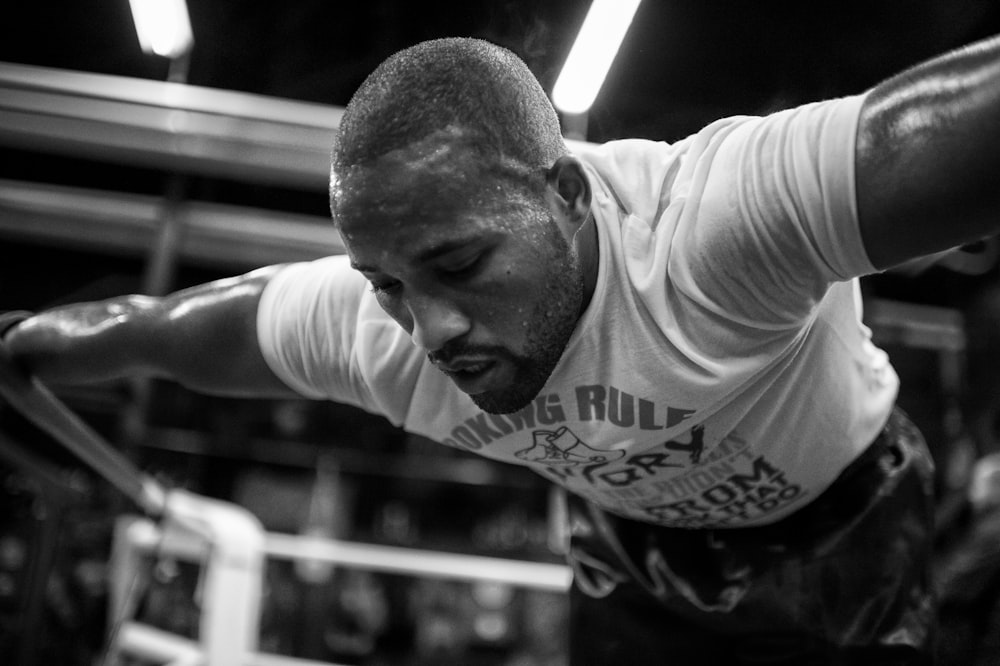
x=625 y=463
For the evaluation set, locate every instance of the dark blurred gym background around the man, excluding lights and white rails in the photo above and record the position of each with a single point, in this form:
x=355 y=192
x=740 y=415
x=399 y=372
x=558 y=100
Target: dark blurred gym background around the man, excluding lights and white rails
x=123 y=171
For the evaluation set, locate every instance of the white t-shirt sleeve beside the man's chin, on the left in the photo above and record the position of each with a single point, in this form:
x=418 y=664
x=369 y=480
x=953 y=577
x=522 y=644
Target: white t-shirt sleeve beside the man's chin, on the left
x=322 y=333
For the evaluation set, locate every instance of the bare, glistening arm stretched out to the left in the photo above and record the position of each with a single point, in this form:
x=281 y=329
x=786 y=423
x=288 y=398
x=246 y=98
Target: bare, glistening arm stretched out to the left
x=203 y=337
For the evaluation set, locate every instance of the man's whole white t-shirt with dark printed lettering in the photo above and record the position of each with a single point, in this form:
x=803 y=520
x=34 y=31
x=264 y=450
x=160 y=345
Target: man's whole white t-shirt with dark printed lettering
x=721 y=375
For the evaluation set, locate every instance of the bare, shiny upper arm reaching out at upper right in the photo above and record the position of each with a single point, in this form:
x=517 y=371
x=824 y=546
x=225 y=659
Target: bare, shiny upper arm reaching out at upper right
x=928 y=156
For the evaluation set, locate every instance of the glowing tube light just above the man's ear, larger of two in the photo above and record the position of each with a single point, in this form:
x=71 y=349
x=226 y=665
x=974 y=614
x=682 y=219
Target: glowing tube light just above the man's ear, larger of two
x=593 y=51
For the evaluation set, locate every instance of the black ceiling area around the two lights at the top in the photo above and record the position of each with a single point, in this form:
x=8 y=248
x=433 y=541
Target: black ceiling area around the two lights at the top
x=685 y=62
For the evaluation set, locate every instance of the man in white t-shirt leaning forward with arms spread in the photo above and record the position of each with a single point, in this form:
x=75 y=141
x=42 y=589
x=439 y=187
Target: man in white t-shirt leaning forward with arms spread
x=670 y=332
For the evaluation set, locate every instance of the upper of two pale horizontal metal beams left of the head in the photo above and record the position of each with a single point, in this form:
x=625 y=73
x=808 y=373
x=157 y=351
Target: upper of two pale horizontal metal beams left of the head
x=168 y=126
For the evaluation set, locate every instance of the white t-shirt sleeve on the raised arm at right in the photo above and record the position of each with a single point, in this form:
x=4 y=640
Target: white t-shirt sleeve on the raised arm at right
x=770 y=219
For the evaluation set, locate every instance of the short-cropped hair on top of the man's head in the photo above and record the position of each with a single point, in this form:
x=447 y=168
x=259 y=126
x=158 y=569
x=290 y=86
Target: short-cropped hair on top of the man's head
x=483 y=89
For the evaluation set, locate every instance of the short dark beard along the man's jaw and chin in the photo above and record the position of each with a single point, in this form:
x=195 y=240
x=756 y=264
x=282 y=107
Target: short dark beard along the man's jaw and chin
x=550 y=325
